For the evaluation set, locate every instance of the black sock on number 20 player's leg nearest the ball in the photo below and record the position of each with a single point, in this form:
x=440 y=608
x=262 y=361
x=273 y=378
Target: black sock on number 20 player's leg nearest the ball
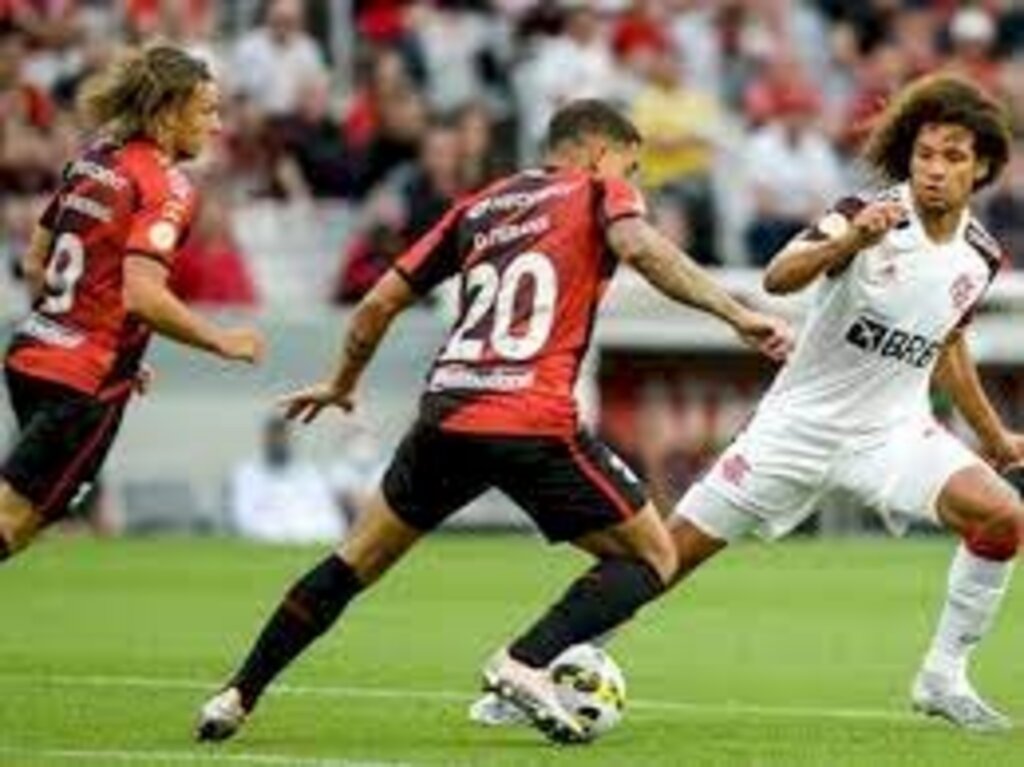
x=608 y=595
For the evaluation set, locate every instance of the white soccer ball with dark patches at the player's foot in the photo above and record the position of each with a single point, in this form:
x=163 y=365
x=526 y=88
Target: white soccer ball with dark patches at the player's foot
x=591 y=687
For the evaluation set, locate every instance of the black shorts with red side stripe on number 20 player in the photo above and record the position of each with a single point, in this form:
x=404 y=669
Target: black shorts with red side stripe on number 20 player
x=570 y=487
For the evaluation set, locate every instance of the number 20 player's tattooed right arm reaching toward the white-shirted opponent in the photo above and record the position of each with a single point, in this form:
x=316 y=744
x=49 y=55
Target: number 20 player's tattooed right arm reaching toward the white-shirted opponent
x=678 y=277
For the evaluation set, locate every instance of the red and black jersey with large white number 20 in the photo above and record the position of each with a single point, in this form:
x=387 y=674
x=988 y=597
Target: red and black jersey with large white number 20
x=534 y=262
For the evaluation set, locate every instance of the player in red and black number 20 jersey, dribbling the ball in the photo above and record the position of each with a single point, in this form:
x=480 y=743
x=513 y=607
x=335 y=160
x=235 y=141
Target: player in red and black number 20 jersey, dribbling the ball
x=535 y=251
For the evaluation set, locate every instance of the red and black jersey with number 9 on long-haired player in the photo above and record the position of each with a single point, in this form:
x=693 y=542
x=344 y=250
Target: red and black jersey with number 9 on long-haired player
x=115 y=201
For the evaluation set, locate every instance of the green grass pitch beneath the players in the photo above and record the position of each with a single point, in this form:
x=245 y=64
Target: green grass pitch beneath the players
x=799 y=654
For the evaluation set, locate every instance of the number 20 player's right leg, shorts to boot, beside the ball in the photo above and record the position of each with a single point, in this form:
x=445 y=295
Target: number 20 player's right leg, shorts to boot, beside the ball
x=577 y=491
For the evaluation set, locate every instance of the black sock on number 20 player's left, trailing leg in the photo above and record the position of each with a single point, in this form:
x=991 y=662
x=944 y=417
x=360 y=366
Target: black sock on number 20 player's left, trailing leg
x=310 y=609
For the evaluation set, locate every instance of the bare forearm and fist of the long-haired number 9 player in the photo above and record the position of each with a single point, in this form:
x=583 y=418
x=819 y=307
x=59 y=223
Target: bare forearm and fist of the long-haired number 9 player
x=148 y=297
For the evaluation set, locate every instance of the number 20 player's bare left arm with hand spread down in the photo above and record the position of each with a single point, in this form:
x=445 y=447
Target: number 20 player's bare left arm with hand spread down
x=370 y=323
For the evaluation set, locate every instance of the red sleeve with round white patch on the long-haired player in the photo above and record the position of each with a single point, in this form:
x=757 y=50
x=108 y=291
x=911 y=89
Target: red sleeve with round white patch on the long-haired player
x=161 y=220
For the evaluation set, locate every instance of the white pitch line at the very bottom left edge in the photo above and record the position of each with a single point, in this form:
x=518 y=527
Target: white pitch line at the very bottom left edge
x=110 y=756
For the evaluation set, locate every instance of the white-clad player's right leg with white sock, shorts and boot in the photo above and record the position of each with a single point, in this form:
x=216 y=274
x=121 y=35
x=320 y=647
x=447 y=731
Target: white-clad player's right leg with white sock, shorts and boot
x=922 y=472
